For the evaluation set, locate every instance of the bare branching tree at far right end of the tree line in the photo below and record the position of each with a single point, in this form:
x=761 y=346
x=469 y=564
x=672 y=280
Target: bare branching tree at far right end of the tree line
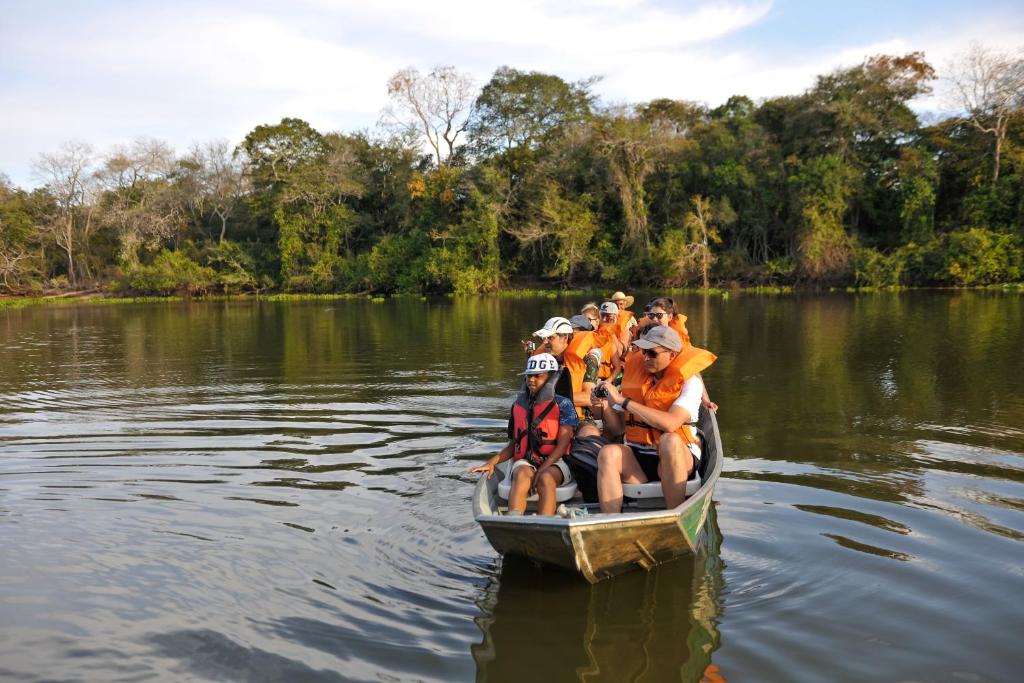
x=991 y=89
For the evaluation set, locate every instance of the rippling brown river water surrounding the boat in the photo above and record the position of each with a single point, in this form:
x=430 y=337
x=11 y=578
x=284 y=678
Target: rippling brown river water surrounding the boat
x=277 y=491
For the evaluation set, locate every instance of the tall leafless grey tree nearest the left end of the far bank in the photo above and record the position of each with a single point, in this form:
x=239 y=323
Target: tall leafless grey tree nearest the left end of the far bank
x=69 y=177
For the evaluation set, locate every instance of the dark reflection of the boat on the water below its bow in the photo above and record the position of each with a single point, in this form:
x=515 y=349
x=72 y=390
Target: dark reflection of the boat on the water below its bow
x=544 y=625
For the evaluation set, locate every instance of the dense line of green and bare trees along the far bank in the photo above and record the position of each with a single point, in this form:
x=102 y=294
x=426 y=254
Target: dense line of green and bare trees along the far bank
x=532 y=180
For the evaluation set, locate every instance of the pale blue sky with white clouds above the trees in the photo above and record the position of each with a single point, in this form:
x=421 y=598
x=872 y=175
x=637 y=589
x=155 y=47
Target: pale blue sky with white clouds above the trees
x=106 y=72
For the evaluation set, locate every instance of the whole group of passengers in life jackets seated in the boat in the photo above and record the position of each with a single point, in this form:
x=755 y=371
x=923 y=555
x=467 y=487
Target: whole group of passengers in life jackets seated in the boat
x=608 y=398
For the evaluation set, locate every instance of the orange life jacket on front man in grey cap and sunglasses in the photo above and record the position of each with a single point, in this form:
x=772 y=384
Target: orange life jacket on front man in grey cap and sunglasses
x=645 y=389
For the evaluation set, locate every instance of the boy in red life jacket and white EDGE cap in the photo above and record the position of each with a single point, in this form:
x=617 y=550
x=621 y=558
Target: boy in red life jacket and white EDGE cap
x=541 y=430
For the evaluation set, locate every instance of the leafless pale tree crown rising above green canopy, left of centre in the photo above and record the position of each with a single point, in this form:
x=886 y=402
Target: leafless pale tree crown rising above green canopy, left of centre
x=437 y=108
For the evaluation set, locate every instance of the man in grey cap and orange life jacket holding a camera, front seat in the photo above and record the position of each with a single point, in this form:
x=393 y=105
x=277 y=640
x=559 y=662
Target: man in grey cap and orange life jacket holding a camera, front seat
x=654 y=408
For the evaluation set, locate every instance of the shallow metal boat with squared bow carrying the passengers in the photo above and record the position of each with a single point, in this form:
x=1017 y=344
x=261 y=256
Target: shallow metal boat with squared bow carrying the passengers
x=600 y=545
